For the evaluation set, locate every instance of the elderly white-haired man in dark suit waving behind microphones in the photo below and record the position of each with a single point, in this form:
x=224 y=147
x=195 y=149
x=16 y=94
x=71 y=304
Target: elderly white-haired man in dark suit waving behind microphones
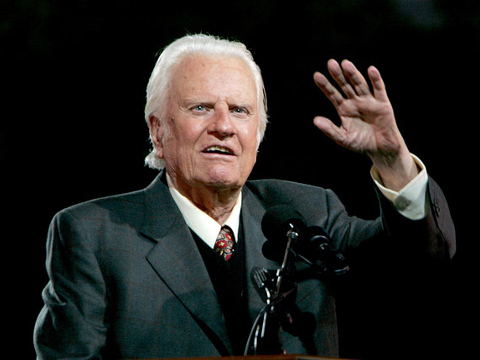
x=141 y=275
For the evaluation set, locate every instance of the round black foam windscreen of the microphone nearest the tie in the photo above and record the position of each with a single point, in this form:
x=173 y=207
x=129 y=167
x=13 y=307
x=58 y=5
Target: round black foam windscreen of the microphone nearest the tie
x=277 y=222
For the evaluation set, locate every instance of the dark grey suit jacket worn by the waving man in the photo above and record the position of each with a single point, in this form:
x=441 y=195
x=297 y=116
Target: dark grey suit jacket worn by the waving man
x=127 y=280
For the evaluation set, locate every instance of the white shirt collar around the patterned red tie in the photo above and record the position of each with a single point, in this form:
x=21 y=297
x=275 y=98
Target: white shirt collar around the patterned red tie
x=202 y=224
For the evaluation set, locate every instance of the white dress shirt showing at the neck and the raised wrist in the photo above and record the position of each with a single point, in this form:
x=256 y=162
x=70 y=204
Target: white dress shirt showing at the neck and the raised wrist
x=409 y=201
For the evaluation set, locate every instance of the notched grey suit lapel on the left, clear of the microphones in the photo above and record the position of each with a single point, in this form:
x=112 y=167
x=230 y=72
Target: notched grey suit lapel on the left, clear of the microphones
x=177 y=260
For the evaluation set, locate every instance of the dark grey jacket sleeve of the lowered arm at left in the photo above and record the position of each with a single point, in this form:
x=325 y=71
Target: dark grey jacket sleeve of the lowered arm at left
x=71 y=323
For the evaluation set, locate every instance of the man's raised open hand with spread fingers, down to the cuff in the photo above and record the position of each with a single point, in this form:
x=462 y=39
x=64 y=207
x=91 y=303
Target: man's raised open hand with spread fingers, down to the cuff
x=367 y=121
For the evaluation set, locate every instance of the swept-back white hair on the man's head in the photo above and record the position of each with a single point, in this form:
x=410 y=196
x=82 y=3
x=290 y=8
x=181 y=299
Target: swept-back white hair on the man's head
x=172 y=55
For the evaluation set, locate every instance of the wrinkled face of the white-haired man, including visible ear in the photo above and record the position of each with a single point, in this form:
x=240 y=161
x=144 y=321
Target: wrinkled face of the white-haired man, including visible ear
x=212 y=122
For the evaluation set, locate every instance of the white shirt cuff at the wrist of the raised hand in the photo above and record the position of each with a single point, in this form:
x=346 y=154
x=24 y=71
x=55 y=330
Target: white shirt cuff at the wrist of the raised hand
x=409 y=201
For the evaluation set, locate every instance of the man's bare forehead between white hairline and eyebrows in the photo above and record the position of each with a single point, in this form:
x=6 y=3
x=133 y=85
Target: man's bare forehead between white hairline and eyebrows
x=220 y=77
